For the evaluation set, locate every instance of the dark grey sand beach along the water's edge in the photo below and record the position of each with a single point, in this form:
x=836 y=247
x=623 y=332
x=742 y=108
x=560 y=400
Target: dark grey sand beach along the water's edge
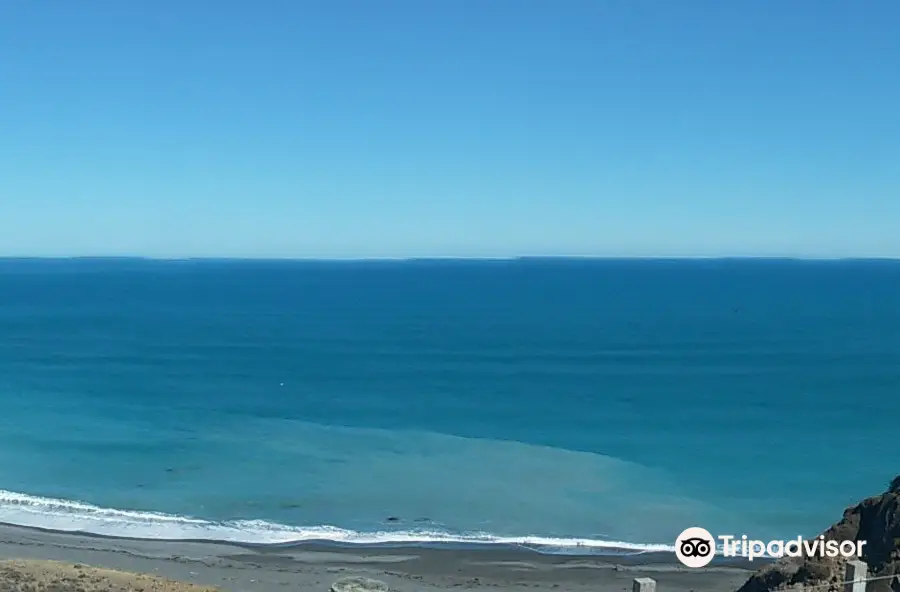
x=316 y=567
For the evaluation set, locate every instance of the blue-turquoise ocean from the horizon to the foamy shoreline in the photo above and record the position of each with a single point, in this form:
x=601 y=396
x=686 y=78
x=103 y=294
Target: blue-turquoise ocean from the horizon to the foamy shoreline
x=592 y=406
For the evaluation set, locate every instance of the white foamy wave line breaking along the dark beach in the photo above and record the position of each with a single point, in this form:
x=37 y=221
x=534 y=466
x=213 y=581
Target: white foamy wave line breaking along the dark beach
x=73 y=516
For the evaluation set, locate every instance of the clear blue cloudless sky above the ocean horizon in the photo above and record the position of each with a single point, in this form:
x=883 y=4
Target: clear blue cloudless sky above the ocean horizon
x=380 y=128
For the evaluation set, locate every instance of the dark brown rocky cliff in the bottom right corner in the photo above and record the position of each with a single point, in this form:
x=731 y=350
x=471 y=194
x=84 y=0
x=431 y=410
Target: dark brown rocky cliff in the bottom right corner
x=875 y=520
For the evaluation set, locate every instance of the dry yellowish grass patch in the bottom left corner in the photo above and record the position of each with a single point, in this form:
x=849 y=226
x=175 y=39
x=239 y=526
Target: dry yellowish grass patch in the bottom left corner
x=52 y=576
